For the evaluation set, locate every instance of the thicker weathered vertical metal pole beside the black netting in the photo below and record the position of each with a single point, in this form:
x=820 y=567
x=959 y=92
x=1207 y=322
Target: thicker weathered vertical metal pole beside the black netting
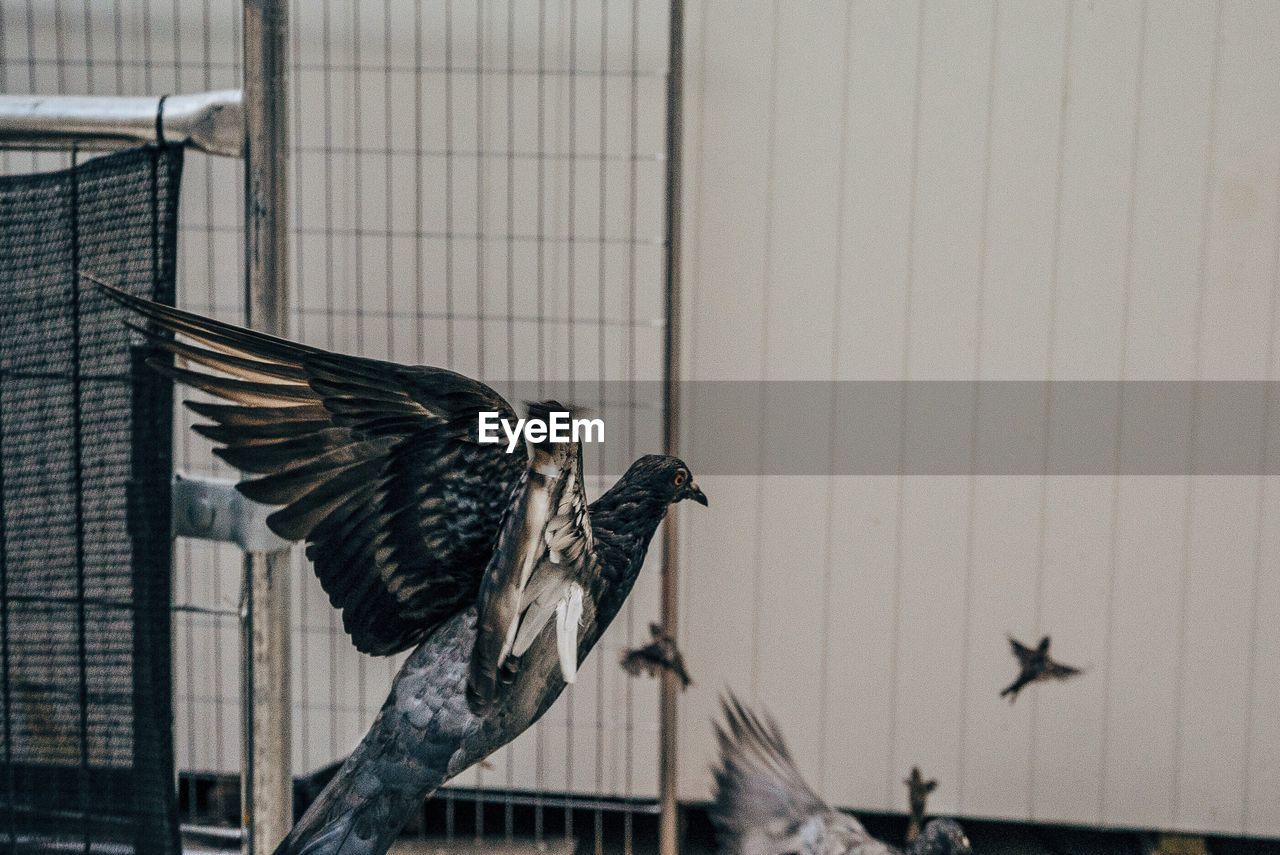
x=266 y=621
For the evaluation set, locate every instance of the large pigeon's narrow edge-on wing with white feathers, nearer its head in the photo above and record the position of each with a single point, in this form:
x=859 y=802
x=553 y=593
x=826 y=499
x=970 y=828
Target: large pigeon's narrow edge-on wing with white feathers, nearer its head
x=538 y=569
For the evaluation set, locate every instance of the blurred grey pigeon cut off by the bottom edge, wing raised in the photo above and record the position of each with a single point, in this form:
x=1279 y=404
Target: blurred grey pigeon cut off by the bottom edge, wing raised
x=764 y=807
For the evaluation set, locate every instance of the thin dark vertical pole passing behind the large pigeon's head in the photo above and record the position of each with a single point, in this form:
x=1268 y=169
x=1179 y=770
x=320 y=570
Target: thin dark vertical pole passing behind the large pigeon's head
x=669 y=824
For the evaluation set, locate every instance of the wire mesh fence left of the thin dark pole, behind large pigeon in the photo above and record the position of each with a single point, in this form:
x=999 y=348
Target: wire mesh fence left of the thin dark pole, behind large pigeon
x=478 y=185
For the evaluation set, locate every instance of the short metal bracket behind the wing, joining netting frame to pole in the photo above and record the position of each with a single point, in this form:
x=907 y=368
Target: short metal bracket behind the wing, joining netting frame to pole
x=214 y=510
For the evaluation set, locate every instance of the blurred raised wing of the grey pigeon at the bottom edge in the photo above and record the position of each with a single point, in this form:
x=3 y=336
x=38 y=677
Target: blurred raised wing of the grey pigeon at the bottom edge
x=758 y=787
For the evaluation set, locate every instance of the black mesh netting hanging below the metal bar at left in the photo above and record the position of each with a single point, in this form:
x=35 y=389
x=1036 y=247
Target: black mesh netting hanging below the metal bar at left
x=86 y=748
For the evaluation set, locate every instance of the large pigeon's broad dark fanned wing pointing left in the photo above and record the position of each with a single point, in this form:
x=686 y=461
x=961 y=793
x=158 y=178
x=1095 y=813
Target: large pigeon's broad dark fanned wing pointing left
x=376 y=465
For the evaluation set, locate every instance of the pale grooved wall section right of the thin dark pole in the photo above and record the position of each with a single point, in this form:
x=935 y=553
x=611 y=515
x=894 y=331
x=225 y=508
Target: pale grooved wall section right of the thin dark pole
x=1034 y=190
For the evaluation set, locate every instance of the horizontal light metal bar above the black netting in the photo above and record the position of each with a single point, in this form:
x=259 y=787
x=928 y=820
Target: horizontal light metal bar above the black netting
x=211 y=122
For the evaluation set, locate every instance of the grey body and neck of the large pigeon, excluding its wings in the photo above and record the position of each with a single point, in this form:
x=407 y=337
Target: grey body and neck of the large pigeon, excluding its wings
x=427 y=731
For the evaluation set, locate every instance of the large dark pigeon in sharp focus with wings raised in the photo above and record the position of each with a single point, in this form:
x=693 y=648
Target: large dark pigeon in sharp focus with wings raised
x=409 y=519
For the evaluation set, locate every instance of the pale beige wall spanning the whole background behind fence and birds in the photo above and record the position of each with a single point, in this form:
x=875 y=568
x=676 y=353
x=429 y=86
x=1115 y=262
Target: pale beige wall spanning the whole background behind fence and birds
x=874 y=191
